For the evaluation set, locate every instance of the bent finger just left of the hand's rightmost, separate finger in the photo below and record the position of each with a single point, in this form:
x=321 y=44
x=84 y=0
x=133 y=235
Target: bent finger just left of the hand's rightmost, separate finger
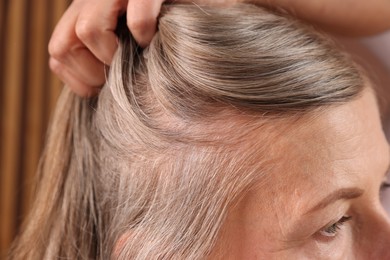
x=96 y=26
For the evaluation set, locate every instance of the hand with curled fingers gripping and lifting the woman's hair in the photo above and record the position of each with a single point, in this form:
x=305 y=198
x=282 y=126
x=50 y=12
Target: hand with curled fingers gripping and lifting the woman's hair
x=84 y=41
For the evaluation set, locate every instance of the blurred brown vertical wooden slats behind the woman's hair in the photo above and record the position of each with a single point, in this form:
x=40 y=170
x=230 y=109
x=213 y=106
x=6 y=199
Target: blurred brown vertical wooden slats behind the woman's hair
x=28 y=92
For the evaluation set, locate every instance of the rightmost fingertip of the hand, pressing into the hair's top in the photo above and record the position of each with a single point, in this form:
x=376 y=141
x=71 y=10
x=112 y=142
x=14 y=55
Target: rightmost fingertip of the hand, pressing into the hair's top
x=142 y=19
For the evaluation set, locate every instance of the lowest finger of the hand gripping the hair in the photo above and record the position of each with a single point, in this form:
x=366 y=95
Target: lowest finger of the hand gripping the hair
x=77 y=86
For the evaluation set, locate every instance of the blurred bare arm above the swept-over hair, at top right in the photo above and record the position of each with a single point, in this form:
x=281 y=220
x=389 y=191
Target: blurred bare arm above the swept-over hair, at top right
x=348 y=17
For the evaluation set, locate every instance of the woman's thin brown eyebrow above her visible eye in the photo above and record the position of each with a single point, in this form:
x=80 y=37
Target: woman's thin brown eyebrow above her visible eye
x=341 y=194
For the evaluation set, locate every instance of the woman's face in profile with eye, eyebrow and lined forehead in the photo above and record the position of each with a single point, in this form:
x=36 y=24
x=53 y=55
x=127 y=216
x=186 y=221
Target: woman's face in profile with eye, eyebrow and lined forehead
x=323 y=200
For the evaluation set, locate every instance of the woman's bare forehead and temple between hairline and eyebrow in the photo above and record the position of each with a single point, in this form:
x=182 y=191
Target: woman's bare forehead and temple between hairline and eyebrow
x=343 y=149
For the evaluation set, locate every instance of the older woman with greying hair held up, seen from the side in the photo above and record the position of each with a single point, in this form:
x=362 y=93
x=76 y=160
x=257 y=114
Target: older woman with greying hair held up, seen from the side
x=239 y=133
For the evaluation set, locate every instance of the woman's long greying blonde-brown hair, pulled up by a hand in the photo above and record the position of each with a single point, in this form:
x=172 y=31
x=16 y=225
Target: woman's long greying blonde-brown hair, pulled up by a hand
x=150 y=168
